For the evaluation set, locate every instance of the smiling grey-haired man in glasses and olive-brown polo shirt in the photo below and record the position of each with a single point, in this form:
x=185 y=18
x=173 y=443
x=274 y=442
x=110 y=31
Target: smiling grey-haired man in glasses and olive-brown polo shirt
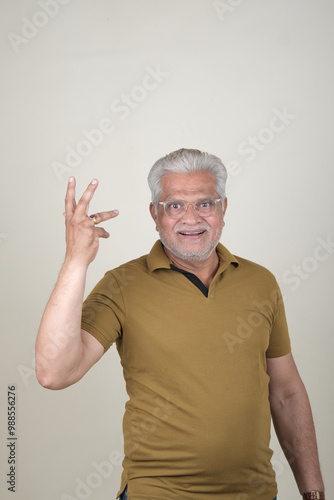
x=202 y=339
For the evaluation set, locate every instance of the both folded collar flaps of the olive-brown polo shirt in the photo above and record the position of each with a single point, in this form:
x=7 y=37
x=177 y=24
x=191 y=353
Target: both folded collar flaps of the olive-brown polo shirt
x=157 y=259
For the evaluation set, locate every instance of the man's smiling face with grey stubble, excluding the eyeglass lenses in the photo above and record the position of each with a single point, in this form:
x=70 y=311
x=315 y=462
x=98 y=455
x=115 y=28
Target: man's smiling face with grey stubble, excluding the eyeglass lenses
x=191 y=238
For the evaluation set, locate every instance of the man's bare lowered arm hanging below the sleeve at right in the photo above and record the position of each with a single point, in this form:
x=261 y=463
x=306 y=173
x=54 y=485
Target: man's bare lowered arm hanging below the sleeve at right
x=293 y=422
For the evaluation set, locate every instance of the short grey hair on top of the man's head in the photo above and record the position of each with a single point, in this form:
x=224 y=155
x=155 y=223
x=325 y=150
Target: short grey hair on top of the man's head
x=186 y=161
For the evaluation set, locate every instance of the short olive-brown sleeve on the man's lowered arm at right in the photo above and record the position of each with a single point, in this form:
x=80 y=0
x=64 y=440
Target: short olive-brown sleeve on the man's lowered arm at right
x=279 y=343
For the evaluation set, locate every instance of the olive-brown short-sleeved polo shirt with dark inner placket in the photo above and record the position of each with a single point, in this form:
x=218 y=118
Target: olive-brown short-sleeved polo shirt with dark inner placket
x=197 y=422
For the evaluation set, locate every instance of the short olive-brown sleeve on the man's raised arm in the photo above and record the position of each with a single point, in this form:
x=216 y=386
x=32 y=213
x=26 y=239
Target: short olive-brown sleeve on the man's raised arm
x=103 y=311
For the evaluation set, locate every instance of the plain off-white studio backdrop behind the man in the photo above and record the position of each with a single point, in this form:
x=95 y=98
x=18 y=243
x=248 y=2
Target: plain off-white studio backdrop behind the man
x=103 y=88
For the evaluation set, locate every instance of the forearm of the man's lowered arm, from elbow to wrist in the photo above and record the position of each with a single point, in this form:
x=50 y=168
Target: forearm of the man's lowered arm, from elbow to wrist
x=292 y=418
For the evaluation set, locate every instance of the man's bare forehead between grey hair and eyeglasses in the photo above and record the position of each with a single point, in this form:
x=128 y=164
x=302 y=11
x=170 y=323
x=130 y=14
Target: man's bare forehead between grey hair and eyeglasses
x=189 y=186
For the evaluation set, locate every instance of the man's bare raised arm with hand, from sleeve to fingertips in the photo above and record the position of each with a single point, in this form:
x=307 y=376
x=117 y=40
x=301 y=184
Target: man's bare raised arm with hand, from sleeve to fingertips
x=65 y=352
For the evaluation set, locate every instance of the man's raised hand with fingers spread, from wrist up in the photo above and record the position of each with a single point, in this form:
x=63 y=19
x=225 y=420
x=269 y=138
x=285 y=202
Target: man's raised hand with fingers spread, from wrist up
x=82 y=234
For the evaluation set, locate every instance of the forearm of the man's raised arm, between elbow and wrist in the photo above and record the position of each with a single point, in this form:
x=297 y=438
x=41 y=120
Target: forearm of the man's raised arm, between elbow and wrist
x=59 y=344
